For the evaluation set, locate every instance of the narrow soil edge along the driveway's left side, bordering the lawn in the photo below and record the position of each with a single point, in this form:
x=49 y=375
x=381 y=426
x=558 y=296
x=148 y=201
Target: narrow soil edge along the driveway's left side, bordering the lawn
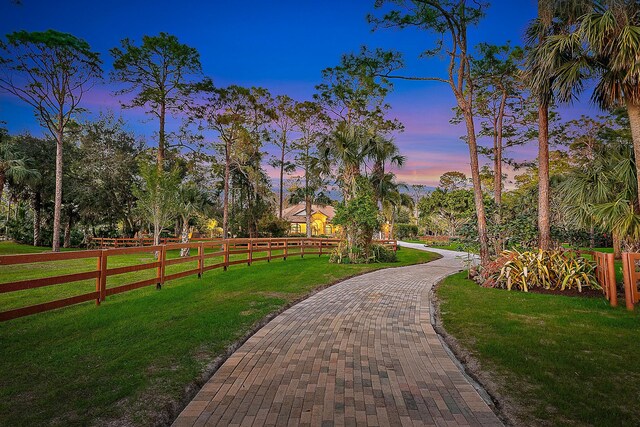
x=172 y=410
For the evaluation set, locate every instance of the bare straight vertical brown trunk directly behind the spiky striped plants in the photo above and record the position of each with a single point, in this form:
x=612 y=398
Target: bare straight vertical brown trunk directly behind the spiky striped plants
x=544 y=230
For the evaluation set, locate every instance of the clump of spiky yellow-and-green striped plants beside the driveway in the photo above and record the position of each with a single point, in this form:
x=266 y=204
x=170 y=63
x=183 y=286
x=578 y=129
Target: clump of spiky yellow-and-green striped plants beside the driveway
x=554 y=270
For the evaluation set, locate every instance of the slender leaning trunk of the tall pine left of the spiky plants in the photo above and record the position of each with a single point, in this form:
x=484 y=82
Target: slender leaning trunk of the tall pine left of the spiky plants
x=477 y=187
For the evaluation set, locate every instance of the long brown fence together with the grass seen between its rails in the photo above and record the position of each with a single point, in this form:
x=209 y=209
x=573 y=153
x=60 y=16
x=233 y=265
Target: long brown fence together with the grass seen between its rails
x=34 y=283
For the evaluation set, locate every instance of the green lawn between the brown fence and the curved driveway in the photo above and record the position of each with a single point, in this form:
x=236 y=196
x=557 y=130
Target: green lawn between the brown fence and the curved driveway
x=133 y=355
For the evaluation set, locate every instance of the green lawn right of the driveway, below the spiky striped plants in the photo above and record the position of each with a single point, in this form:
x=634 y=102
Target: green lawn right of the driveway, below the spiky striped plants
x=562 y=360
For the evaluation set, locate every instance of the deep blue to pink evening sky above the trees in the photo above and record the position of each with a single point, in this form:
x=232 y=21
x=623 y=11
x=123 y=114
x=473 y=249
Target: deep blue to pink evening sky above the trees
x=283 y=46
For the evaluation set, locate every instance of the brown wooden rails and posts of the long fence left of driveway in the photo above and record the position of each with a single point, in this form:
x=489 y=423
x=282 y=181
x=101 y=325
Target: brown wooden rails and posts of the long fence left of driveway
x=225 y=249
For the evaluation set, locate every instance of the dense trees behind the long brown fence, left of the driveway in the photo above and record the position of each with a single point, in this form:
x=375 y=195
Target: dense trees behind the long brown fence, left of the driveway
x=208 y=173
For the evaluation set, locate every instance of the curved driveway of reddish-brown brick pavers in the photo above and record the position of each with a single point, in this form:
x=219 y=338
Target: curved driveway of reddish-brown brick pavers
x=360 y=352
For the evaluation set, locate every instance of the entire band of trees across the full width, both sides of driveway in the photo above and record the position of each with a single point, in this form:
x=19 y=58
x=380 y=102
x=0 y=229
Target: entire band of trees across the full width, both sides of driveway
x=506 y=95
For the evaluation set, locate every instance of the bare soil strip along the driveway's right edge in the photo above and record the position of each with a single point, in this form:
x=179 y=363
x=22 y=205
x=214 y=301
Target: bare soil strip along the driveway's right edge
x=481 y=380
